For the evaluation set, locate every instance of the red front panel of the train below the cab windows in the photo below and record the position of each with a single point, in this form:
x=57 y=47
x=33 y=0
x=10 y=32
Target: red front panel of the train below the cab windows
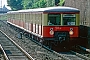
x=74 y=29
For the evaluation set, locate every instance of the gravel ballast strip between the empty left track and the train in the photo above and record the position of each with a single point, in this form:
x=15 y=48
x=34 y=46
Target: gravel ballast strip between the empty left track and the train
x=36 y=51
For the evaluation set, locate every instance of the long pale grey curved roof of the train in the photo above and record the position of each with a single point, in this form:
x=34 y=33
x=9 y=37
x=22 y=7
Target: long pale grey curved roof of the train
x=49 y=9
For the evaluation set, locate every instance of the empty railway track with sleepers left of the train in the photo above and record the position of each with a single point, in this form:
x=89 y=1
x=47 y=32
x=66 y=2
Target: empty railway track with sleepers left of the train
x=11 y=50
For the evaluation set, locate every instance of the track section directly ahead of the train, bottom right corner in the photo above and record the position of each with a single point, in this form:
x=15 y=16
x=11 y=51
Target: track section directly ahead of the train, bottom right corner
x=81 y=53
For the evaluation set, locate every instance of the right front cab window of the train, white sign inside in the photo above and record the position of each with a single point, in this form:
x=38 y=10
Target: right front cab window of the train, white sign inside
x=69 y=19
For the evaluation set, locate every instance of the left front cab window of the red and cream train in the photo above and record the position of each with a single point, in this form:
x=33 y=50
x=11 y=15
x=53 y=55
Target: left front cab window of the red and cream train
x=54 y=19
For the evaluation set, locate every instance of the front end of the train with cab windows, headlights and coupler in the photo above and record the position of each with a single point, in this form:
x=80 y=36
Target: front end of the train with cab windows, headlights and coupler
x=63 y=29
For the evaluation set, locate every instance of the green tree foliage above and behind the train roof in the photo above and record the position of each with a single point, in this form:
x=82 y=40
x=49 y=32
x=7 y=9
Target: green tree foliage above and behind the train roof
x=27 y=4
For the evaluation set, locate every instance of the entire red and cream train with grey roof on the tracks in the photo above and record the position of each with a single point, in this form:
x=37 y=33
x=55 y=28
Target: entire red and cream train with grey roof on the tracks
x=56 y=27
